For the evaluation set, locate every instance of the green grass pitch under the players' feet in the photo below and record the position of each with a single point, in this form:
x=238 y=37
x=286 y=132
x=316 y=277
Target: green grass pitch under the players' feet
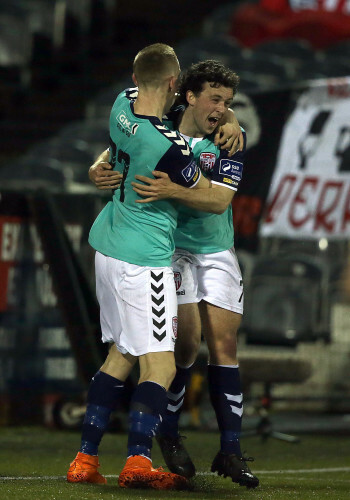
x=34 y=462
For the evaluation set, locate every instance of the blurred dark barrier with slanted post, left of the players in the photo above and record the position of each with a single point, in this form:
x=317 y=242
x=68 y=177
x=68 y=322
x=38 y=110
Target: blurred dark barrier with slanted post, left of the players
x=49 y=333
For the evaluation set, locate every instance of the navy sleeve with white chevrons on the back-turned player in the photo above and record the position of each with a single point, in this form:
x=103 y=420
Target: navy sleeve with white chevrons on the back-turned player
x=178 y=162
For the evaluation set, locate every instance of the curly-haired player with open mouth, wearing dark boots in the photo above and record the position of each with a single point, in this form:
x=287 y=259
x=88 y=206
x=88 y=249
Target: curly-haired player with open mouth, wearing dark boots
x=207 y=275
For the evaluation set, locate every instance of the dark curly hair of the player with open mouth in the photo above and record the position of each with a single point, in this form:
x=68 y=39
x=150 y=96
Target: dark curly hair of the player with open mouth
x=210 y=71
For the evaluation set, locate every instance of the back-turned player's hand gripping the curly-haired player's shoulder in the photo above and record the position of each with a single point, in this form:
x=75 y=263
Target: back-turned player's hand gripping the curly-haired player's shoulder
x=229 y=134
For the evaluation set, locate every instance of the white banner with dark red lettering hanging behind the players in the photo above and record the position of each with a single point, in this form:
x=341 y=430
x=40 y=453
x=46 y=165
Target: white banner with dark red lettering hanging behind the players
x=309 y=195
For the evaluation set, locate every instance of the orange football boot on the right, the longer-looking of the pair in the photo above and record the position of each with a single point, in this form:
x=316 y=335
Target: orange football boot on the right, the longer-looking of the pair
x=139 y=473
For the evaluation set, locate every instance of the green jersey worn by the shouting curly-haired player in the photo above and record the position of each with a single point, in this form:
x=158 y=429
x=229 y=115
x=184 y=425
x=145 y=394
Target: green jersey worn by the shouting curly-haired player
x=203 y=232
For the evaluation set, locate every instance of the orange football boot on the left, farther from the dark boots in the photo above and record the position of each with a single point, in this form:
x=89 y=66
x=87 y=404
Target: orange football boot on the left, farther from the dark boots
x=83 y=469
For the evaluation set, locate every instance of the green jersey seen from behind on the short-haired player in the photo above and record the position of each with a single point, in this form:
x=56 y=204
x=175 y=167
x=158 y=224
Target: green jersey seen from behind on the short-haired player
x=141 y=234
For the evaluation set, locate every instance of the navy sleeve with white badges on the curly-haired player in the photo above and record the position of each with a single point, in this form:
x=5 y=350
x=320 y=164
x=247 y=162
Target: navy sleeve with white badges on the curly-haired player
x=228 y=171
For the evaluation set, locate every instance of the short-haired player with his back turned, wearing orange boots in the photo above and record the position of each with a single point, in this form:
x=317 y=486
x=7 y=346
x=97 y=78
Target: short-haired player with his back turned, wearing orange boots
x=134 y=280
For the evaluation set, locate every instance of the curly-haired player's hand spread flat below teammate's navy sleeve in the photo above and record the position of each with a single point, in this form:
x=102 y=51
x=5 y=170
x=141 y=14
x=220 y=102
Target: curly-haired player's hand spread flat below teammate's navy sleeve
x=154 y=189
